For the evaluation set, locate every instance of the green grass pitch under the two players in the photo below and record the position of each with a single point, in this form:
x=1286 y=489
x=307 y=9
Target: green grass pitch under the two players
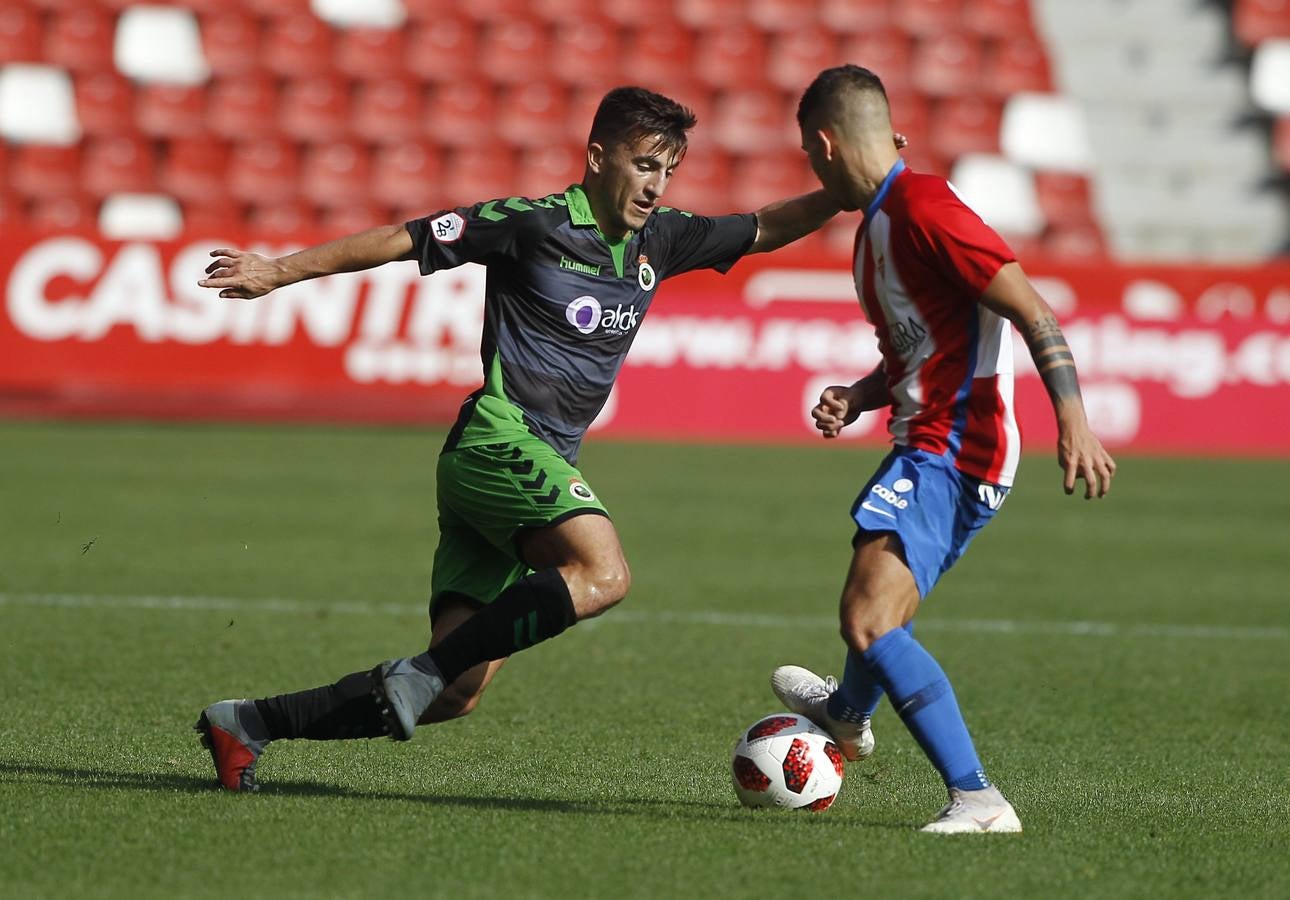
x=1123 y=666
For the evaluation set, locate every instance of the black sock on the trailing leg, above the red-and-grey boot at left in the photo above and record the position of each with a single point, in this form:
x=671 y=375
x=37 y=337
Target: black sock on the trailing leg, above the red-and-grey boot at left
x=336 y=712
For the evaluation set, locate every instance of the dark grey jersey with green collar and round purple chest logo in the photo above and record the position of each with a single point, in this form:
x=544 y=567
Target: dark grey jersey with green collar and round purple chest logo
x=562 y=304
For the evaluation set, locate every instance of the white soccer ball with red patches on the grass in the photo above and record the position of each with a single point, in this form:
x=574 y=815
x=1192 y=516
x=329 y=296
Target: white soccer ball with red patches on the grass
x=788 y=761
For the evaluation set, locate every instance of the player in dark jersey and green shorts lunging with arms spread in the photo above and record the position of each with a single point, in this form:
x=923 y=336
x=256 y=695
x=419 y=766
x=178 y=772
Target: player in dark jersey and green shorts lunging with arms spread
x=526 y=550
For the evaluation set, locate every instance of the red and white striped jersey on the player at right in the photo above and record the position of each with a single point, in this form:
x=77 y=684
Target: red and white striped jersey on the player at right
x=923 y=260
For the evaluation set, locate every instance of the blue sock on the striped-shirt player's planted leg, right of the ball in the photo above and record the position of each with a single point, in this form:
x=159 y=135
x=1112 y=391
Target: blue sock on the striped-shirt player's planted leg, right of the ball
x=924 y=699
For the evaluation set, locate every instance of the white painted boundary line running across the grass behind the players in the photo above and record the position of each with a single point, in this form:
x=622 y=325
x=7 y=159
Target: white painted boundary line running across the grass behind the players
x=629 y=617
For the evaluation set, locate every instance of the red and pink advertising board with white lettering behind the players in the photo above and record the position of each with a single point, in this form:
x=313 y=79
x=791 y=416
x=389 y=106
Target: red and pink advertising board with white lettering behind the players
x=1172 y=359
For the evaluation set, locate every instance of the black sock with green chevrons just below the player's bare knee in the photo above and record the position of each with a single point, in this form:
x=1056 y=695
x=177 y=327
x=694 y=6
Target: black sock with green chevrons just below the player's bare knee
x=532 y=611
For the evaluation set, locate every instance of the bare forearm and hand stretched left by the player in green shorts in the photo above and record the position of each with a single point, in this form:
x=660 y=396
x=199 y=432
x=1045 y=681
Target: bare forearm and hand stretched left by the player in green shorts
x=244 y=277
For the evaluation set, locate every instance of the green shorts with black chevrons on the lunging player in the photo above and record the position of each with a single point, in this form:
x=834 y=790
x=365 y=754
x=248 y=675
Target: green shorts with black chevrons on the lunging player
x=487 y=496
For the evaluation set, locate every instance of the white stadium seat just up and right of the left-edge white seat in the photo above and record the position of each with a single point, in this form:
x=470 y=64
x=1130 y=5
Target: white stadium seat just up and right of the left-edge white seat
x=161 y=44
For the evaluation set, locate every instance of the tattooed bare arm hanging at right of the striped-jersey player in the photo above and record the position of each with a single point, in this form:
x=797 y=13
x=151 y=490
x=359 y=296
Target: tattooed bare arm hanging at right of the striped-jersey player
x=1079 y=452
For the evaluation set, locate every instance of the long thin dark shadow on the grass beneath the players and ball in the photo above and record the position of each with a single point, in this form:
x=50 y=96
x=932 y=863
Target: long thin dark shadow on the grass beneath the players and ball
x=101 y=779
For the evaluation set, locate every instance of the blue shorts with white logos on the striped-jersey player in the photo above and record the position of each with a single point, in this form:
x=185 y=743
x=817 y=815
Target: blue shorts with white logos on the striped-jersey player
x=931 y=506
